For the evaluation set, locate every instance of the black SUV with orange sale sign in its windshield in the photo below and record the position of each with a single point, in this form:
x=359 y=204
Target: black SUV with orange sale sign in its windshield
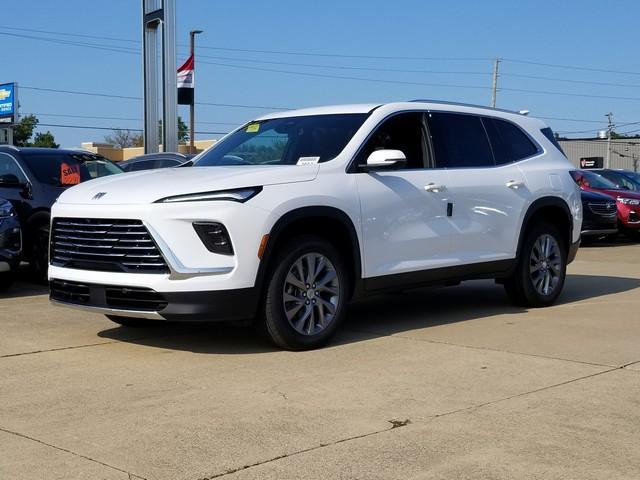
x=33 y=178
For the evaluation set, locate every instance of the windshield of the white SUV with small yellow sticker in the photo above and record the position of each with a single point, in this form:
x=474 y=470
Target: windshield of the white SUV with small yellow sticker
x=285 y=141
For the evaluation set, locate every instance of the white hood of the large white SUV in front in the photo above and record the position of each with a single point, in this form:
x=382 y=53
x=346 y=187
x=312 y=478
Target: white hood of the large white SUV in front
x=151 y=185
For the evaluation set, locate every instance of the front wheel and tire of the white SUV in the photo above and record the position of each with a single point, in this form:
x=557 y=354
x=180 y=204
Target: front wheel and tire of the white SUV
x=299 y=313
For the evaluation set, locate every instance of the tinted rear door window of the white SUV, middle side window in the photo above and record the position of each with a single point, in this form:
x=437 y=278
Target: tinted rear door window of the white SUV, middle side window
x=459 y=141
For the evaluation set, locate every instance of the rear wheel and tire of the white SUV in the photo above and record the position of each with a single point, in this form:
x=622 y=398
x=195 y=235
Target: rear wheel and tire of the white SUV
x=539 y=276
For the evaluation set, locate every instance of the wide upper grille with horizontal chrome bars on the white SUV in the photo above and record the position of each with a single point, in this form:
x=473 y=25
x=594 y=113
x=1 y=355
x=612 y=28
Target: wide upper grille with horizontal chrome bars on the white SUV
x=112 y=245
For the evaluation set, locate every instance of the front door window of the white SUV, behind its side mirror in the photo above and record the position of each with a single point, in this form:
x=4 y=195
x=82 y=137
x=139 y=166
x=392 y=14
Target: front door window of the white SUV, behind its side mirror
x=401 y=132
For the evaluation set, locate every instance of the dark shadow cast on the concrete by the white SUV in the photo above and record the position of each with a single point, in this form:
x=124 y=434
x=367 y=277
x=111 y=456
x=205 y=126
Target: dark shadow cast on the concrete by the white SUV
x=371 y=318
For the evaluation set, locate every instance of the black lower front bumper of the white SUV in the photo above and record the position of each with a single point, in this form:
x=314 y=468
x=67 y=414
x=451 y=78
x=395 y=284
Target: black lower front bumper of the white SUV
x=222 y=305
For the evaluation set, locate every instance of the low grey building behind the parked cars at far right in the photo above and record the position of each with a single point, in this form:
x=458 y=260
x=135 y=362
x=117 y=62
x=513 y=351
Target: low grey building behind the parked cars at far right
x=592 y=153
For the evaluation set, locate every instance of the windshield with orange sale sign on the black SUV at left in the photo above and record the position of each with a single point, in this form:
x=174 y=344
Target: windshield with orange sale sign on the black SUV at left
x=66 y=169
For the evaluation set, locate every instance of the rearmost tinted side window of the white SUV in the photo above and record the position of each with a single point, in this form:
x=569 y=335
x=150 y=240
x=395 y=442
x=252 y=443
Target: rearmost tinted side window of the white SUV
x=508 y=142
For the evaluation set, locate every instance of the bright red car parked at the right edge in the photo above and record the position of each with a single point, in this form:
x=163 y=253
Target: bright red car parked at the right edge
x=628 y=202
